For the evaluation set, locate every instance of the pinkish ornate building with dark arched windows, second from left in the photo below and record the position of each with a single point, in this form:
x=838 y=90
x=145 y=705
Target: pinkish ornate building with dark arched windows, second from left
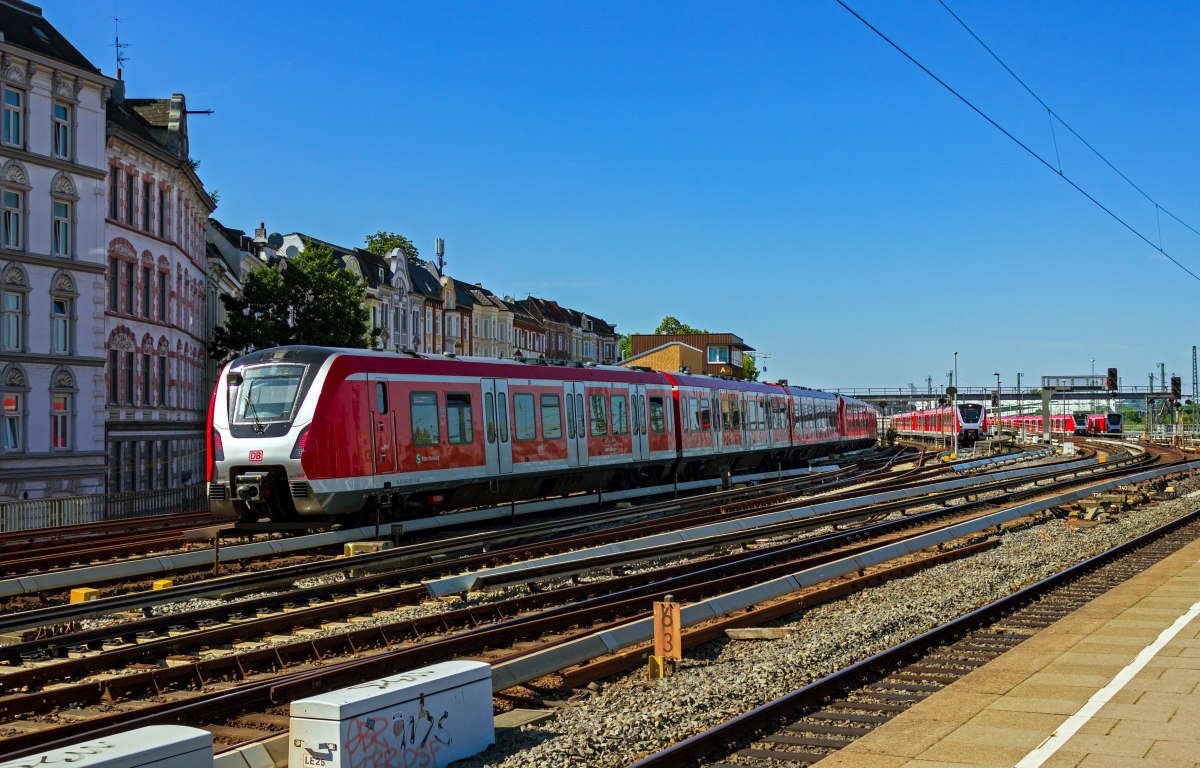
x=157 y=388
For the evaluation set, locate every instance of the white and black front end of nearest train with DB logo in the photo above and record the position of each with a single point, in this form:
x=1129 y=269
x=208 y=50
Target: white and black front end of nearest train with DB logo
x=262 y=411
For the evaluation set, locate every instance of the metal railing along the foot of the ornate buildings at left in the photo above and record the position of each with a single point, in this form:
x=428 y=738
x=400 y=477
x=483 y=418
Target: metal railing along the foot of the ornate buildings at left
x=74 y=511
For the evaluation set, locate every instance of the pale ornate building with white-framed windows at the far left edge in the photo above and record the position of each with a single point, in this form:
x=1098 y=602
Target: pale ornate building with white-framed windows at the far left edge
x=52 y=262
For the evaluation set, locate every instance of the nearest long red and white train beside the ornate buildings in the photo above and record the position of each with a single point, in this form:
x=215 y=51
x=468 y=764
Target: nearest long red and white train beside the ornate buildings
x=310 y=433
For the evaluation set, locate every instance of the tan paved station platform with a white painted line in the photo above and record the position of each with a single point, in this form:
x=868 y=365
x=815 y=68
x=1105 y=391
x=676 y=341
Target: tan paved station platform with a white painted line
x=1138 y=704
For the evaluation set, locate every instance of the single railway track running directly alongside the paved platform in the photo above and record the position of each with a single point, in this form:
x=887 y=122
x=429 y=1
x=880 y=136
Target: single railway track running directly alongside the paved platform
x=807 y=725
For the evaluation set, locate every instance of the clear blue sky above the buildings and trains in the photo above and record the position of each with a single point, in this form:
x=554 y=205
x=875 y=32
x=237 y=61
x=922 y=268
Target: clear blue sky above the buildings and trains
x=771 y=170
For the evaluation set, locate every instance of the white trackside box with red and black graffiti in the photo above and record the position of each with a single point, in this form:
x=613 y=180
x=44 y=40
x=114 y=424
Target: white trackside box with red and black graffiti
x=429 y=717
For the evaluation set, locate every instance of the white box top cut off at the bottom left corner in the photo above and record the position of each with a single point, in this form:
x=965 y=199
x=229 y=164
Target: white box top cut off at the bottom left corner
x=153 y=747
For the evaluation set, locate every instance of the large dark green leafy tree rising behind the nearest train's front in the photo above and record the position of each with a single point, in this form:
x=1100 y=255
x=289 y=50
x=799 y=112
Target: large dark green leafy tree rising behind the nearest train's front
x=314 y=301
